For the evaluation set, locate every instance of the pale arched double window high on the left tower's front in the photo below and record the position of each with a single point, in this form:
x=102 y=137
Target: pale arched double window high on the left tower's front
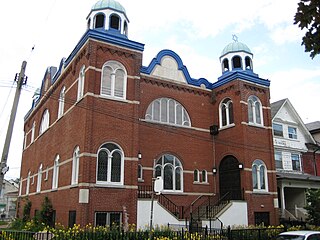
x=114 y=80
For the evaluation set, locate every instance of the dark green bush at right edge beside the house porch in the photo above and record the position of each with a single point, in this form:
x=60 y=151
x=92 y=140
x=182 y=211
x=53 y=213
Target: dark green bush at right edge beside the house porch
x=313 y=206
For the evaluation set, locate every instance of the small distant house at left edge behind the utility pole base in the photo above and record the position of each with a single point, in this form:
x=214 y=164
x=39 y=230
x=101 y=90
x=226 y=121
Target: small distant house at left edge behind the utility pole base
x=8 y=199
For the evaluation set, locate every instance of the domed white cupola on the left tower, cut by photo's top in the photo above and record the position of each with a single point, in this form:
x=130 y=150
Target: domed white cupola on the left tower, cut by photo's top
x=108 y=15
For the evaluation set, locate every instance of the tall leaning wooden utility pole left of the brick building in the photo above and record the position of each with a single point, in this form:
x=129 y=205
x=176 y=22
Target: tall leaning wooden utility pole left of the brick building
x=21 y=80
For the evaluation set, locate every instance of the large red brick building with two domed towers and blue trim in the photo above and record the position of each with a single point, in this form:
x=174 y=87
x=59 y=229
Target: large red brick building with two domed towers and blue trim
x=103 y=127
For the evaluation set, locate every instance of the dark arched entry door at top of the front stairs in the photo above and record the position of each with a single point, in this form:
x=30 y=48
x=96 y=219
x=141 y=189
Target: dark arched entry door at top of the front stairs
x=229 y=178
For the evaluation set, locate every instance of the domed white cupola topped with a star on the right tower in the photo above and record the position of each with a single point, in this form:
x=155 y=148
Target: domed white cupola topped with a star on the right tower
x=236 y=56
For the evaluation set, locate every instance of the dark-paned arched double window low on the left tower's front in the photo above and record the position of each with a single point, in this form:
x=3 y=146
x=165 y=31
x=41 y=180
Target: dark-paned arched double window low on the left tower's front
x=110 y=164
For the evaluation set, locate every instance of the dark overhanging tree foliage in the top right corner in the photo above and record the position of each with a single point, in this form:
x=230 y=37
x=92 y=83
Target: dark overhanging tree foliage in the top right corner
x=308 y=17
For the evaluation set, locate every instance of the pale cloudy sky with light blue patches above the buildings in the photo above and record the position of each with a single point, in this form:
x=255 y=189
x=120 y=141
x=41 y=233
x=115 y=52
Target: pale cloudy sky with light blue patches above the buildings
x=196 y=30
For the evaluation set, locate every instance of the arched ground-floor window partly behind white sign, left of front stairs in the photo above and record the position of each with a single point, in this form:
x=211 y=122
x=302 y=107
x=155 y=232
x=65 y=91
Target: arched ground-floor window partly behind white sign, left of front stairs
x=170 y=169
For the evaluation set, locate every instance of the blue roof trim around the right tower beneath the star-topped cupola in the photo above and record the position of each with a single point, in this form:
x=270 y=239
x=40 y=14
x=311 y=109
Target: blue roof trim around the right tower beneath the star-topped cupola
x=243 y=75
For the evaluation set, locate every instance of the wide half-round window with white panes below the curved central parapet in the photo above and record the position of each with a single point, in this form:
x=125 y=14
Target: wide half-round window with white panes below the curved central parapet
x=167 y=110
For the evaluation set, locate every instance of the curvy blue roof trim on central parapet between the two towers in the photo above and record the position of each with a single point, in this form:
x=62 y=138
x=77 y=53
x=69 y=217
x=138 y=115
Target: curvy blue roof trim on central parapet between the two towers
x=166 y=52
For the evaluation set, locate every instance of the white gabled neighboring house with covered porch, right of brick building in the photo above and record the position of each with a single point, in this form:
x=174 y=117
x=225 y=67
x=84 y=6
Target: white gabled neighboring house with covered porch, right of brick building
x=291 y=139
